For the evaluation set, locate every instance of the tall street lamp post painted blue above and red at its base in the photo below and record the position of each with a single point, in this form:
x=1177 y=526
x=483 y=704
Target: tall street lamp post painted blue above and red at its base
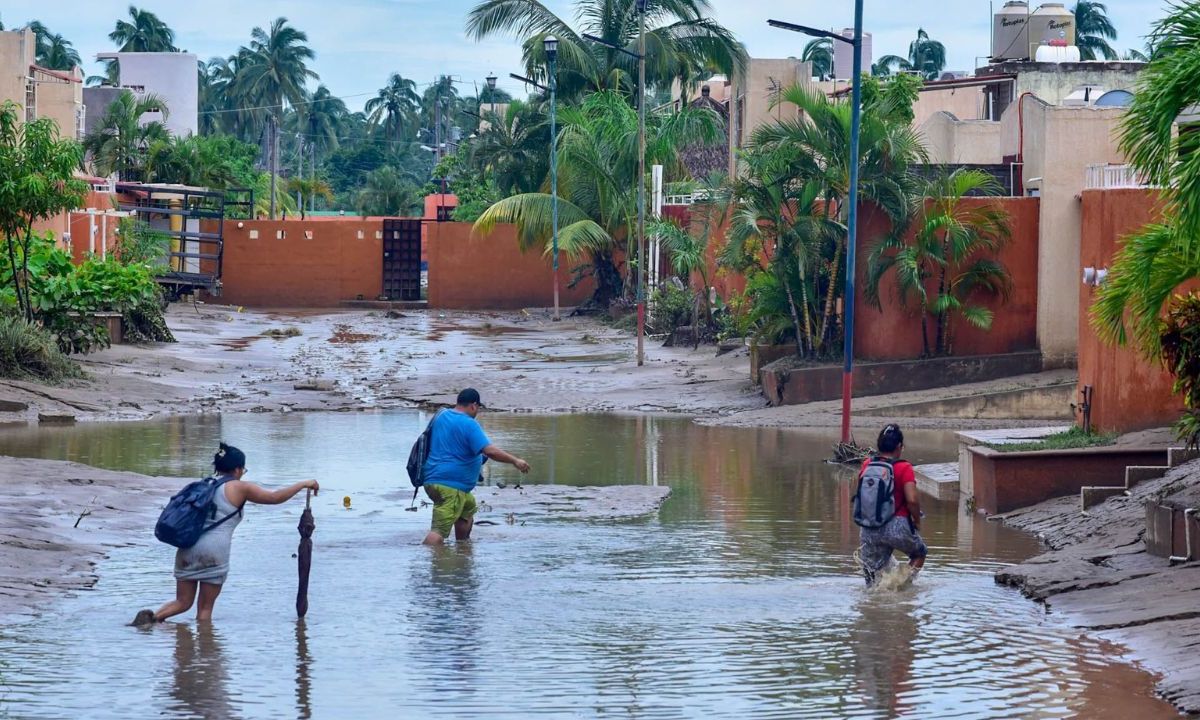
x=853 y=226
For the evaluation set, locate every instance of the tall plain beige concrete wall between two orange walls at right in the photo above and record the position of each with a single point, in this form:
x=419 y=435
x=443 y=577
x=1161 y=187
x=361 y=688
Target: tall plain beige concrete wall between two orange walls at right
x=1060 y=143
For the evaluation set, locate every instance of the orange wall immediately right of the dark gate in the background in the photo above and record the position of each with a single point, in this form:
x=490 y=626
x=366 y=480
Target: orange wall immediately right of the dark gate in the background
x=476 y=273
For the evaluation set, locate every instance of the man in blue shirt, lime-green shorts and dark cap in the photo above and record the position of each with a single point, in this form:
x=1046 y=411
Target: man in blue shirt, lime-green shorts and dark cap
x=458 y=448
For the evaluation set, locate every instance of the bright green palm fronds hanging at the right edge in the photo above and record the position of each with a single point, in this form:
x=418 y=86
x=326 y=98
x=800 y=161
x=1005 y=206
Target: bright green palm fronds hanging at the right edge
x=1155 y=261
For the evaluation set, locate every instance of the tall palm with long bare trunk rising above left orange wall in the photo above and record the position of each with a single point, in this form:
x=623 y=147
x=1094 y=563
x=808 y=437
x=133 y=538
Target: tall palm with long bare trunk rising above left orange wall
x=275 y=74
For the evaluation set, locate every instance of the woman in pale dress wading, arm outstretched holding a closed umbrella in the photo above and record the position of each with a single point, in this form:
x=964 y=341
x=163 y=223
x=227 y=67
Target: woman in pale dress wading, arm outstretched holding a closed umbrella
x=205 y=567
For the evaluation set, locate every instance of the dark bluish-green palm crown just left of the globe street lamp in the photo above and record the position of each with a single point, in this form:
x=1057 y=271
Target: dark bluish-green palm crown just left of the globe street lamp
x=513 y=149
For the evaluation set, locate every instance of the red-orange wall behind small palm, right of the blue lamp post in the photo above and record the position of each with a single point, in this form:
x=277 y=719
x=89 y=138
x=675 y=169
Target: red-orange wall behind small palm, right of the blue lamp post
x=895 y=333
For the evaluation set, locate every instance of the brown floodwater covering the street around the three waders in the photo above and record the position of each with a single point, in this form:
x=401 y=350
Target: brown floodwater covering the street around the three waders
x=740 y=599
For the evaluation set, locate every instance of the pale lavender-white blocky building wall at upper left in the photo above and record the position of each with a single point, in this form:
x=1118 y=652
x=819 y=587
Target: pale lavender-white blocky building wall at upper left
x=171 y=76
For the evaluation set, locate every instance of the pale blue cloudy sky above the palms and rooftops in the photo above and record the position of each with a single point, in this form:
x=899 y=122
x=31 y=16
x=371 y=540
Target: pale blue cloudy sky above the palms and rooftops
x=361 y=43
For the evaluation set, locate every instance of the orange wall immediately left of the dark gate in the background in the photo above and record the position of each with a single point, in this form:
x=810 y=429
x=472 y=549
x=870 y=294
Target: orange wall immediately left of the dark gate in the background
x=317 y=265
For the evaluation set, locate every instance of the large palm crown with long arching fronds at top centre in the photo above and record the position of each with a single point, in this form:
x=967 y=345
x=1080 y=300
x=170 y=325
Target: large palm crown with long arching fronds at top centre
x=681 y=41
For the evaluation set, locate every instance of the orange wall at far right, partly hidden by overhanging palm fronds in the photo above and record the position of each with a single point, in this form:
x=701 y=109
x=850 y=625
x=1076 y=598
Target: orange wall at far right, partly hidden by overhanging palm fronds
x=1129 y=393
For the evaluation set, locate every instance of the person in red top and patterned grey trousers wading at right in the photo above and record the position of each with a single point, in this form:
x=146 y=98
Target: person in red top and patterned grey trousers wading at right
x=903 y=531
